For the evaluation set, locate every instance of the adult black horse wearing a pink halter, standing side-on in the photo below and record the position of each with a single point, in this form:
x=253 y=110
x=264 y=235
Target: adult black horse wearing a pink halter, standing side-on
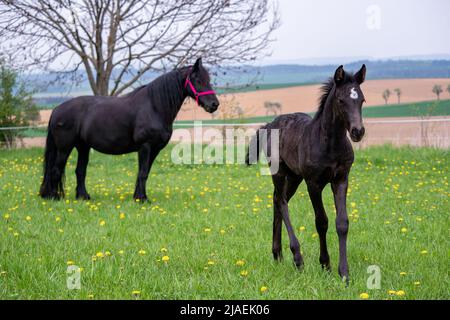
x=139 y=121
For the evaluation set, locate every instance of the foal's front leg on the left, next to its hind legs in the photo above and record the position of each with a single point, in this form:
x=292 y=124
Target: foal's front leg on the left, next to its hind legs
x=315 y=194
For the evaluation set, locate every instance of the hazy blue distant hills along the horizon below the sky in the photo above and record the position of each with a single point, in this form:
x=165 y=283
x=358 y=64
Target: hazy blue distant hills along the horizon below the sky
x=247 y=78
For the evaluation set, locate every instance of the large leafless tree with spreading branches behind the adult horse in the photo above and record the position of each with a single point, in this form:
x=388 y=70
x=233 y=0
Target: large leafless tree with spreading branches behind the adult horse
x=118 y=41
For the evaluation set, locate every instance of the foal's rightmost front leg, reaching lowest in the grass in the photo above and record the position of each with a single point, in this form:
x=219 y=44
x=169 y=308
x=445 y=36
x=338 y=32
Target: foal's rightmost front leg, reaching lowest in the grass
x=339 y=188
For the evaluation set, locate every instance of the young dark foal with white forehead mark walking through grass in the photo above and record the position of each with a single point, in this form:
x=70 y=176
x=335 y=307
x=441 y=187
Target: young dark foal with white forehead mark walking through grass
x=318 y=151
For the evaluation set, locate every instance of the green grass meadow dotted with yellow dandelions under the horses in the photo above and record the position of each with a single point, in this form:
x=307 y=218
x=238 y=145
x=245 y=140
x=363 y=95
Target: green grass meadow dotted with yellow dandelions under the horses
x=207 y=231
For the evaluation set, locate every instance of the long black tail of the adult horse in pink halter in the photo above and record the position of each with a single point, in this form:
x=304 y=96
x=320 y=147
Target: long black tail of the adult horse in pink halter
x=51 y=187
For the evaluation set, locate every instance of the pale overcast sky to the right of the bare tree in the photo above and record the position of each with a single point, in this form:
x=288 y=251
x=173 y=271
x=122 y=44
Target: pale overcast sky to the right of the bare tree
x=361 y=28
